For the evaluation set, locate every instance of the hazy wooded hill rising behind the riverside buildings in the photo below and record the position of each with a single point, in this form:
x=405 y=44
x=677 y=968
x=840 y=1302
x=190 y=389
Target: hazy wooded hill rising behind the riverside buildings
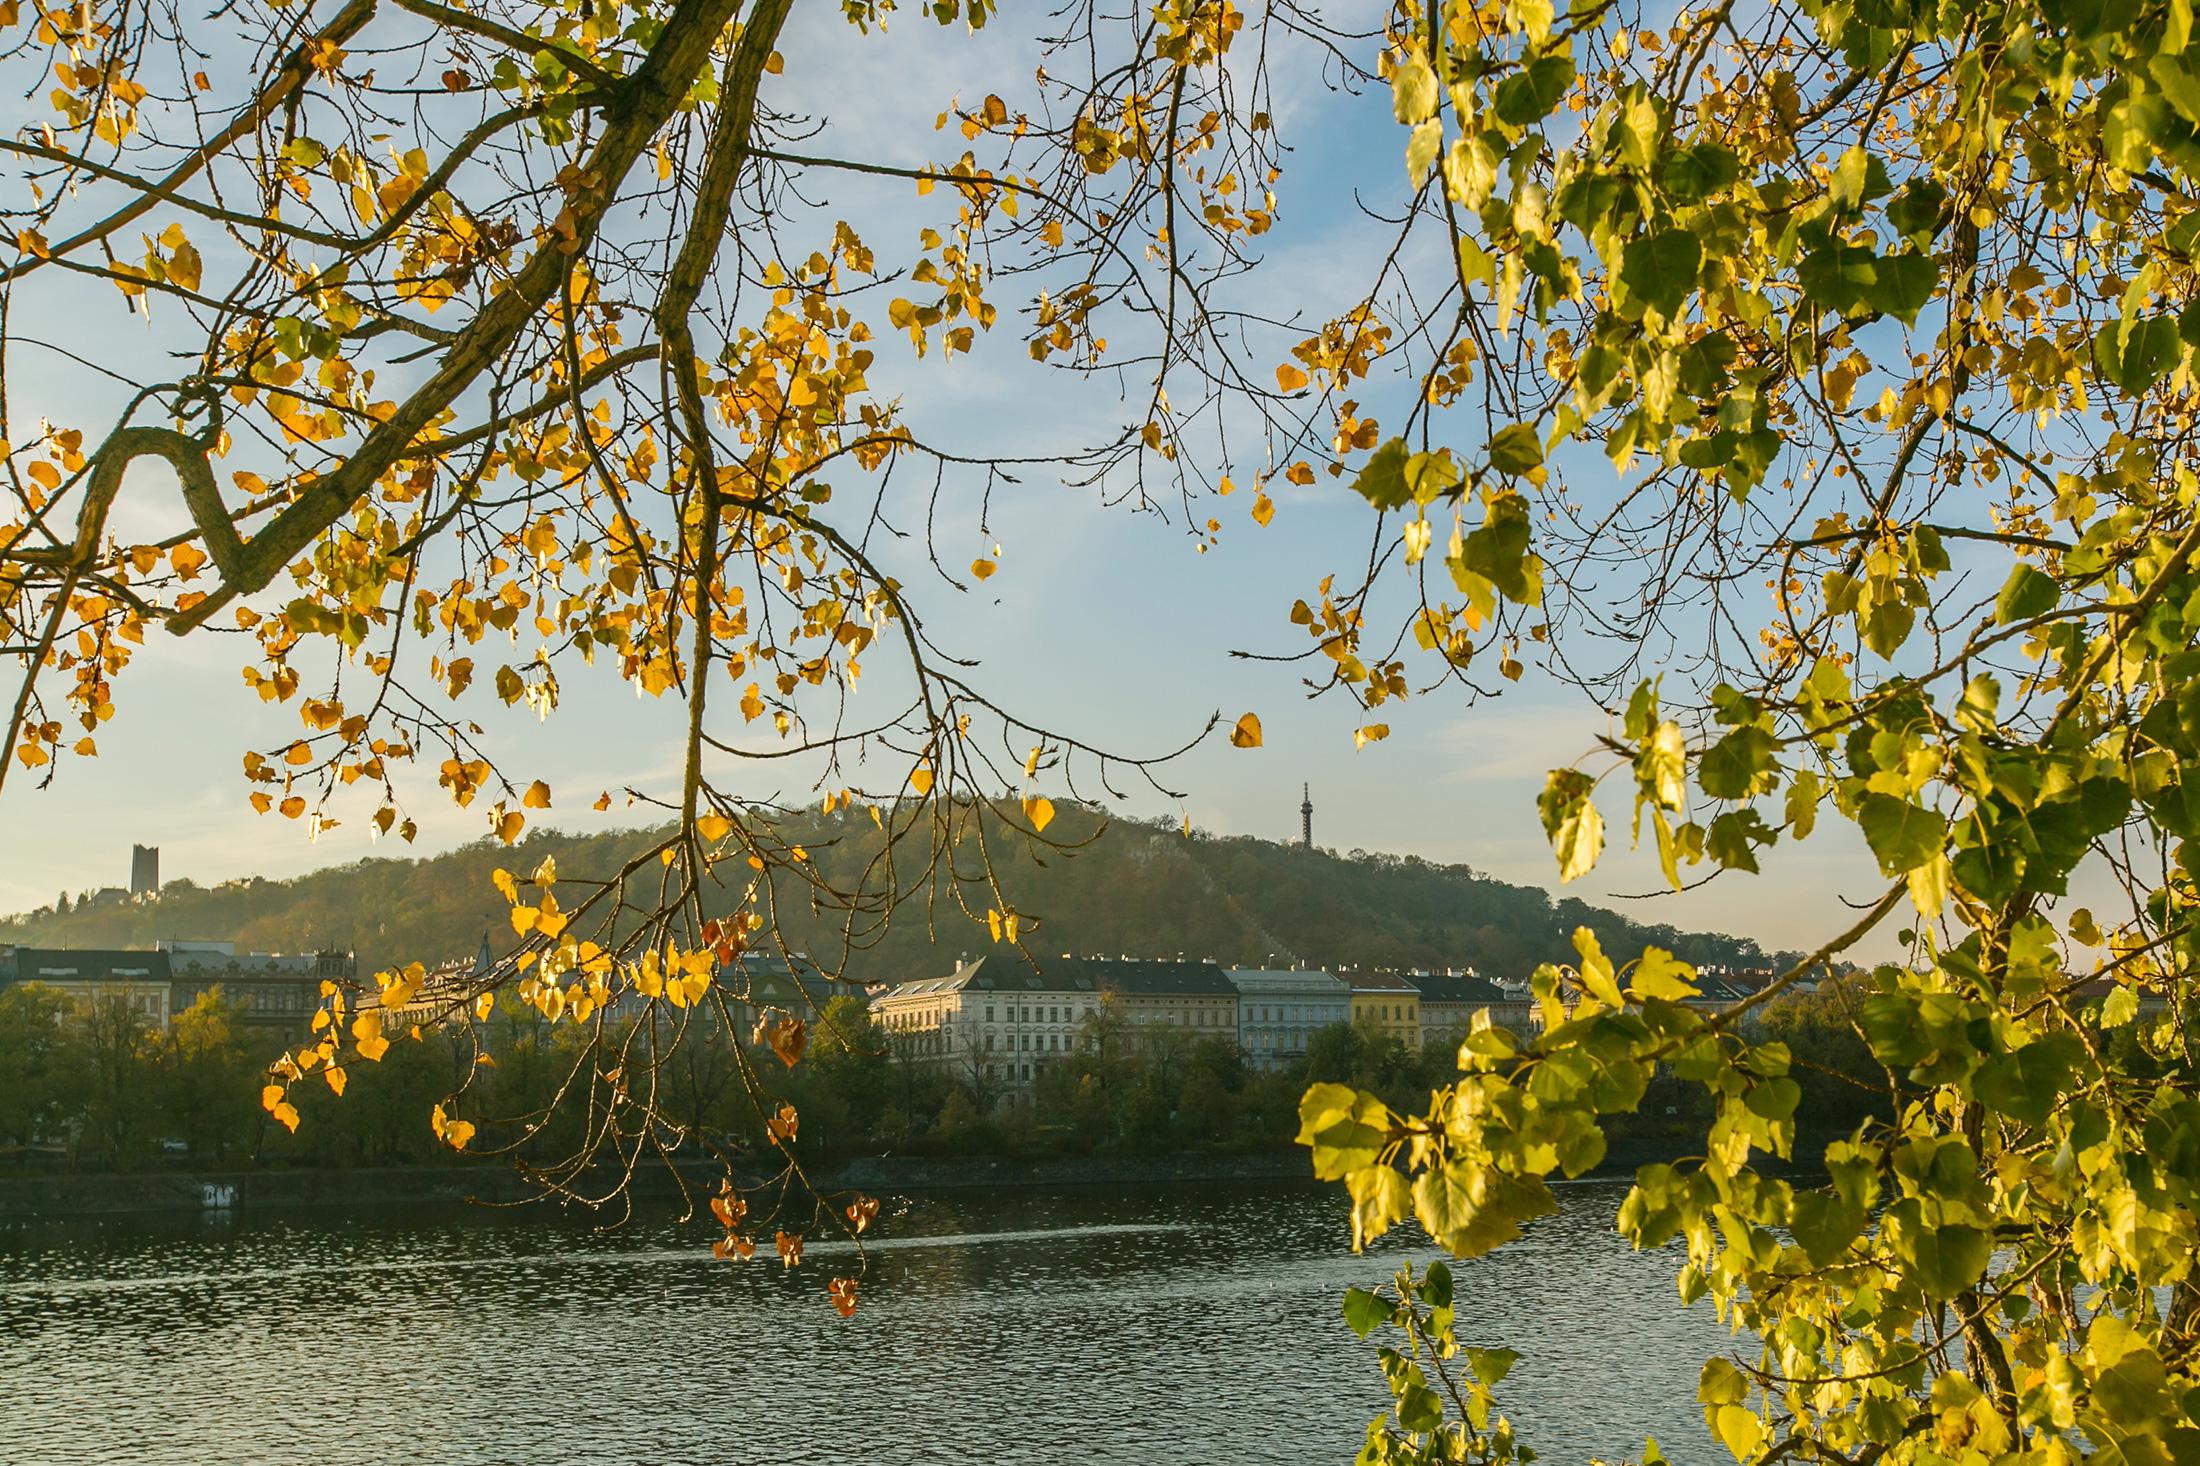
x=1141 y=890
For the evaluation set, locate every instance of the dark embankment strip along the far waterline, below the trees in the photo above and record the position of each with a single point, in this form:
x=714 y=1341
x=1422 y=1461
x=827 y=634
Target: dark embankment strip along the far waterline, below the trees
x=228 y=1192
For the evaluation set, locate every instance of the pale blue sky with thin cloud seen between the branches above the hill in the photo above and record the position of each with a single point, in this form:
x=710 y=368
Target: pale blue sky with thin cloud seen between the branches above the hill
x=1101 y=622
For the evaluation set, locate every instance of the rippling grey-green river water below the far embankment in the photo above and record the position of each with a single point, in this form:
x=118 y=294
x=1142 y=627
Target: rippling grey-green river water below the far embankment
x=1141 y=1326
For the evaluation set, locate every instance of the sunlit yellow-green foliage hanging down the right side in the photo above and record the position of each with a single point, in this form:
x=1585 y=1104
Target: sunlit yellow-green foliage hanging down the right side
x=1886 y=320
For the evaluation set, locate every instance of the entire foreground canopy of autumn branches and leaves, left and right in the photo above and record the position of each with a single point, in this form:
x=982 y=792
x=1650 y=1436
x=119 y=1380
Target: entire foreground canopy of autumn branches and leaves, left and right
x=1882 y=311
